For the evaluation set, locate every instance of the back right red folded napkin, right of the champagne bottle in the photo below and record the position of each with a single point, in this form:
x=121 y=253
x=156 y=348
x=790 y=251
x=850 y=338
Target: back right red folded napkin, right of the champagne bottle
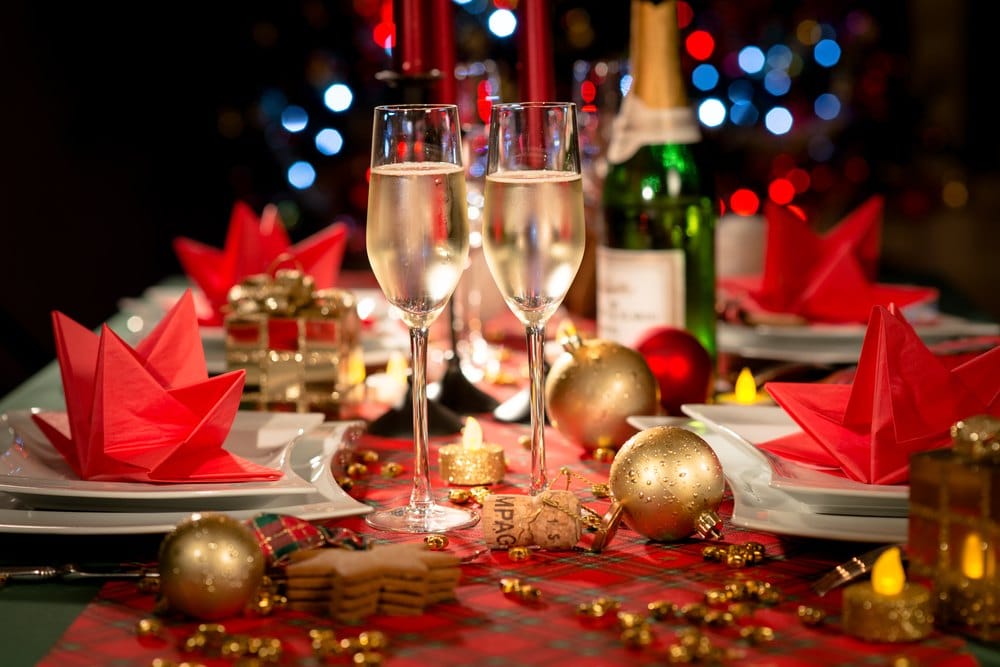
x=822 y=277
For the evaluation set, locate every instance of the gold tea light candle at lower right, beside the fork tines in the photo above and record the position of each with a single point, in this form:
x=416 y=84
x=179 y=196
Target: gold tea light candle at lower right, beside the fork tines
x=888 y=608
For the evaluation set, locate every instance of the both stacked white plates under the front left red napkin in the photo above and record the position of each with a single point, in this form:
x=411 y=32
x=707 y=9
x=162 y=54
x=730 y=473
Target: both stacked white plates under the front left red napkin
x=39 y=492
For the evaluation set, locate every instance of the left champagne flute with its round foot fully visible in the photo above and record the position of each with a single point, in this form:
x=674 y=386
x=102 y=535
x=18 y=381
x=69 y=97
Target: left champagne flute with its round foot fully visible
x=418 y=243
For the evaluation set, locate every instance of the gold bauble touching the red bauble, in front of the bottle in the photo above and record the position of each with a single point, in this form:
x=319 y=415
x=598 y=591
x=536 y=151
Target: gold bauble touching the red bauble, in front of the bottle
x=594 y=387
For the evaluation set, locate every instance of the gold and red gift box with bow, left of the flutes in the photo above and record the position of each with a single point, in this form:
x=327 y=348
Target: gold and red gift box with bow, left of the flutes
x=300 y=347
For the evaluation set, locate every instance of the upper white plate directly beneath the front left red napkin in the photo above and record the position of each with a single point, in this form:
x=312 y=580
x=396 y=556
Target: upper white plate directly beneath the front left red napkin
x=33 y=471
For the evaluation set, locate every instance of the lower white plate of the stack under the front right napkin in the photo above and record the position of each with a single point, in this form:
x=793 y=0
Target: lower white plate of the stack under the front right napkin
x=759 y=506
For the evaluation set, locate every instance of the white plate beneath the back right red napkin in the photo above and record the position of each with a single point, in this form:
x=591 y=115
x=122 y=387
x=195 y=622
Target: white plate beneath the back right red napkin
x=832 y=343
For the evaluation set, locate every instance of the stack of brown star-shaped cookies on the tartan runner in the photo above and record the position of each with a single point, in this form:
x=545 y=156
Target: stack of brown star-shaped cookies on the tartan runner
x=391 y=579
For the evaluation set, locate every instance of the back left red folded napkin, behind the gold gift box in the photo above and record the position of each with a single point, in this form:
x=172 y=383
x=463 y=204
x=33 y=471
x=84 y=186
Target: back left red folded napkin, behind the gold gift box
x=252 y=246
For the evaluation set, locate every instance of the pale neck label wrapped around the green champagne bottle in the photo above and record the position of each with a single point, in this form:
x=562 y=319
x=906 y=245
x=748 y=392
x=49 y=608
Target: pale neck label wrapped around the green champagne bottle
x=638 y=125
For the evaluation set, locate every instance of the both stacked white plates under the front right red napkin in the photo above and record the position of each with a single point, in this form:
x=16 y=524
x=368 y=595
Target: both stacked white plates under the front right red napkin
x=782 y=496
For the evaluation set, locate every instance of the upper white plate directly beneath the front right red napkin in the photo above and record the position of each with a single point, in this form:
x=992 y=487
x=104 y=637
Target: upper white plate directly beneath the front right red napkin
x=750 y=425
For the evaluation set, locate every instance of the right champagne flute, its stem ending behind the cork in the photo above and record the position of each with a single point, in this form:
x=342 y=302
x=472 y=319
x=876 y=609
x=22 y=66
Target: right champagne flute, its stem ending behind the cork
x=533 y=230
